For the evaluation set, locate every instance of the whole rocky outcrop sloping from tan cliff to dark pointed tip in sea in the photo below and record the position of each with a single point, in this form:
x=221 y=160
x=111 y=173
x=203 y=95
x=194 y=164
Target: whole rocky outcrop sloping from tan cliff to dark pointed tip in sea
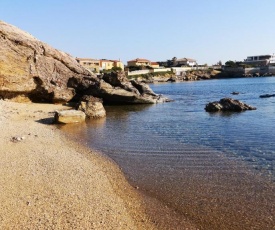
x=31 y=70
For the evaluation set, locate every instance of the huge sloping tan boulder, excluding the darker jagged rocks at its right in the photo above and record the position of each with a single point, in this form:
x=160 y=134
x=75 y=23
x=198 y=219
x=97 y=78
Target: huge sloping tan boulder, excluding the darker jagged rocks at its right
x=32 y=70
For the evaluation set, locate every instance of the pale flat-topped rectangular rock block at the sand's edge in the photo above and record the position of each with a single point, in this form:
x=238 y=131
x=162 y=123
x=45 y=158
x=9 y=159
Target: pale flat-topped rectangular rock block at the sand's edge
x=69 y=116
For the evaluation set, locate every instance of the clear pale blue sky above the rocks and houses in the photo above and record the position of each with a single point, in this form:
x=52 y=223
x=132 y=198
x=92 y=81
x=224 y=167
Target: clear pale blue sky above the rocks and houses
x=206 y=30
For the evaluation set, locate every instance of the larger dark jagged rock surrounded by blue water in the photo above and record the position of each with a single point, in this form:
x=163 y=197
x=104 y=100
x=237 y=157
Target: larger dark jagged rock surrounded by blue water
x=227 y=104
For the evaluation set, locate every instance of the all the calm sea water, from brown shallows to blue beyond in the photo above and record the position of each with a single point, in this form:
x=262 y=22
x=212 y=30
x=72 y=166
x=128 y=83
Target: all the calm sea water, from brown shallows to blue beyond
x=216 y=169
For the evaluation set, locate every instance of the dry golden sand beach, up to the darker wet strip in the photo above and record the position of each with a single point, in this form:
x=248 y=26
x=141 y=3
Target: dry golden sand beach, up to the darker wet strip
x=49 y=182
